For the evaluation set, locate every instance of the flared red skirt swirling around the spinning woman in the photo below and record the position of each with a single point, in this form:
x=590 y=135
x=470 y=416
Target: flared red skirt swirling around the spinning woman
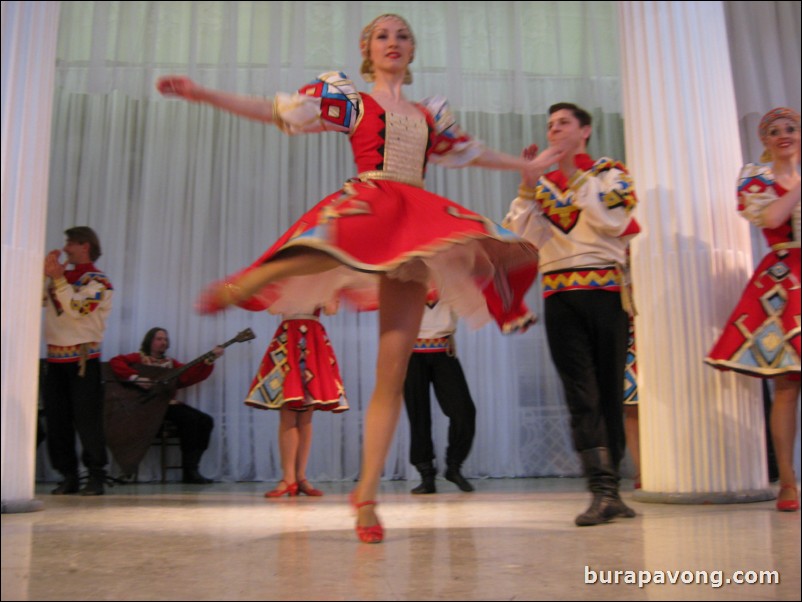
x=385 y=227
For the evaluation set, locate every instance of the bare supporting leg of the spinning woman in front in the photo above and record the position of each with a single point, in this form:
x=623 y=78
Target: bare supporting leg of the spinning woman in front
x=401 y=311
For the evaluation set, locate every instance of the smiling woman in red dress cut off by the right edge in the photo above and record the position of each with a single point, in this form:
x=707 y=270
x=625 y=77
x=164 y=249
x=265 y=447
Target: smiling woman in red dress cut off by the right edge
x=761 y=338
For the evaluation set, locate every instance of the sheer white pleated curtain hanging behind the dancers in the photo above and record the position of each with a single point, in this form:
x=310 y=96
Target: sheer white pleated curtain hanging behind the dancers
x=182 y=194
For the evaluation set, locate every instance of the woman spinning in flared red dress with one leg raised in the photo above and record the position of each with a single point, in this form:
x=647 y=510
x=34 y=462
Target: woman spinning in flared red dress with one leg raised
x=382 y=242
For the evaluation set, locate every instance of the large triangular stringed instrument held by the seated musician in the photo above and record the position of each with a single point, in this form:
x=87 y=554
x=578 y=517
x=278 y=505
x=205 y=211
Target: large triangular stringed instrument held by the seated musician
x=132 y=415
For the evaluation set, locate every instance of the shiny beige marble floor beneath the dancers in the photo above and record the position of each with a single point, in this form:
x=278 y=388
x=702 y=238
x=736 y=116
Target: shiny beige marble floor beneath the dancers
x=511 y=539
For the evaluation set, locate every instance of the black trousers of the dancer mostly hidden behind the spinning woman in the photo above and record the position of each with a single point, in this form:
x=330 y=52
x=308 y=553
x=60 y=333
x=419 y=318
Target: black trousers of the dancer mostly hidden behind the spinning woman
x=444 y=372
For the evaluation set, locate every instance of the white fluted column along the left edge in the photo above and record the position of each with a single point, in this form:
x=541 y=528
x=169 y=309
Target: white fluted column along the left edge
x=29 y=50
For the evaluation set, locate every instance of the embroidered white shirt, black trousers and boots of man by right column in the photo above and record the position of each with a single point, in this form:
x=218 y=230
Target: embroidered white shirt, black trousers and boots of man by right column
x=582 y=227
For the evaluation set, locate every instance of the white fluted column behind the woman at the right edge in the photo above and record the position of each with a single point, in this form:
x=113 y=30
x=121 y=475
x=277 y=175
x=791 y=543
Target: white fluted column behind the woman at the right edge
x=702 y=431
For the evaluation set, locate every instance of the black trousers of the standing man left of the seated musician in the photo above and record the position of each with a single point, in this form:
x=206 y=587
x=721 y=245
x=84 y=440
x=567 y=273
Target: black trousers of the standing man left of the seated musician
x=74 y=403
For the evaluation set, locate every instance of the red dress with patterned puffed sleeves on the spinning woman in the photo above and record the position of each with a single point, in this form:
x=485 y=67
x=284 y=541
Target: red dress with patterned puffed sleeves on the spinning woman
x=383 y=221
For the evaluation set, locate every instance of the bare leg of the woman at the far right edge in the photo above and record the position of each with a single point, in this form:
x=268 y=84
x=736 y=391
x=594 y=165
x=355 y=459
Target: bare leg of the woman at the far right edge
x=783 y=431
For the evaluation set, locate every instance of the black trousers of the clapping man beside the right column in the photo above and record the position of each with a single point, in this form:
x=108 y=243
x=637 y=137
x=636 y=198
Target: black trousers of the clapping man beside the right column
x=587 y=335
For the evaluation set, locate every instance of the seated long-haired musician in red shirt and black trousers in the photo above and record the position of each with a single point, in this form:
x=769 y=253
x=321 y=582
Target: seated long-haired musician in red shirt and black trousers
x=194 y=427
